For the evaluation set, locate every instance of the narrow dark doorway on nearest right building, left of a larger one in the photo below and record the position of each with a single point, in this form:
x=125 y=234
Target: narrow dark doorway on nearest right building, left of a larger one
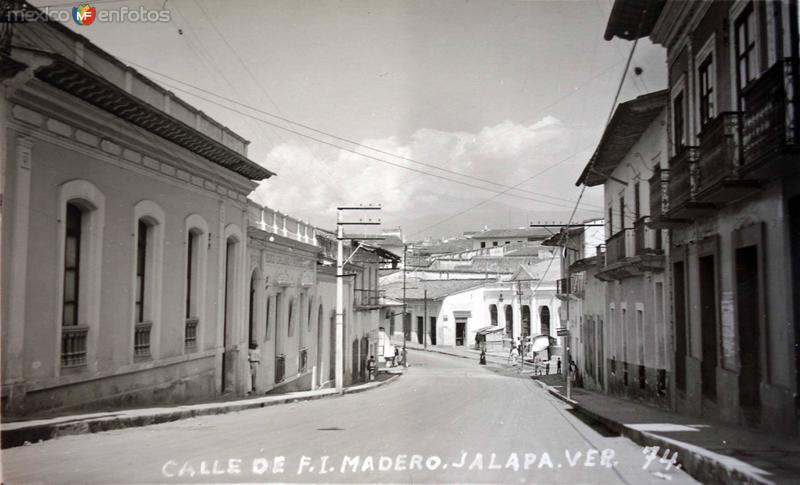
x=708 y=325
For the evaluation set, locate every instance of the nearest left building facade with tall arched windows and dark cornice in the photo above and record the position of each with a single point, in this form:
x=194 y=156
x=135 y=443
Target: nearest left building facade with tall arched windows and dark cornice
x=124 y=235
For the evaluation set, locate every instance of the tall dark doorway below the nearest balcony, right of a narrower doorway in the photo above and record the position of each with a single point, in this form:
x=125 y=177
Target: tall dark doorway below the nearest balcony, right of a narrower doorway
x=748 y=326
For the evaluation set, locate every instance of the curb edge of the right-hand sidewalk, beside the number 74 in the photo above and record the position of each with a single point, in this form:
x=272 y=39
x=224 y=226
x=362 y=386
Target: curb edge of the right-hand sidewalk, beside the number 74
x=703 y=465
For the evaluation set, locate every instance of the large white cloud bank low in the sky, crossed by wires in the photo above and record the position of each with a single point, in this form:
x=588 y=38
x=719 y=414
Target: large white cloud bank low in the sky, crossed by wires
x=312 y=179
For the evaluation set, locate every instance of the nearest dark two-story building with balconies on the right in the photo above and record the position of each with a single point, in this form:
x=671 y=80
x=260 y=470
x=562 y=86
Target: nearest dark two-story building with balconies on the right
x=728 y=190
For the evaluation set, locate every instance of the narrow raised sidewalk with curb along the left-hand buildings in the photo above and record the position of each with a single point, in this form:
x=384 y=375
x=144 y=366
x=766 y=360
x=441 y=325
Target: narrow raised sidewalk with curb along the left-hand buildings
x=19 y=433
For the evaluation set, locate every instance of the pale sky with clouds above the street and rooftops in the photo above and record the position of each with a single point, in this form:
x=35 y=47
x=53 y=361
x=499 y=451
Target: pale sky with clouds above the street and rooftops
x=509 y=98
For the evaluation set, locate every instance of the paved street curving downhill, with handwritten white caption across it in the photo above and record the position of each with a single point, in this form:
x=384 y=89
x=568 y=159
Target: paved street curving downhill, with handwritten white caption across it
x=446 y=420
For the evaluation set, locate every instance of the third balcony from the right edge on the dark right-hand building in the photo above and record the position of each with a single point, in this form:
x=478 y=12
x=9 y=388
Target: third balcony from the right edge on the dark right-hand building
x=683 y=177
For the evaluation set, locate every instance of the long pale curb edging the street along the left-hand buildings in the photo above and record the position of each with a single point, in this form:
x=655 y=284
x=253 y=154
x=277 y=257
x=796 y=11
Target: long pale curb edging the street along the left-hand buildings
x=42 y=432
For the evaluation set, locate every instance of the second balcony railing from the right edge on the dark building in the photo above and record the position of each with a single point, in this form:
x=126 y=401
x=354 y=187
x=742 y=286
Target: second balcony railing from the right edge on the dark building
x=720 y=150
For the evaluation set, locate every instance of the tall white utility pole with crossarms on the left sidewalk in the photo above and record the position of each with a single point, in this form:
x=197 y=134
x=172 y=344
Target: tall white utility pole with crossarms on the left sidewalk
x=340 y=262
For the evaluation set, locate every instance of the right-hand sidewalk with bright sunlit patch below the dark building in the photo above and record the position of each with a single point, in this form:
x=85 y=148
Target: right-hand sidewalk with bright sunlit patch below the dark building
x=708 y=451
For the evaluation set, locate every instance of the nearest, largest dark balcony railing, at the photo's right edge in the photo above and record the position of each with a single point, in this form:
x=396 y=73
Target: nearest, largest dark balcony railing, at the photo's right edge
x=771 y=109
